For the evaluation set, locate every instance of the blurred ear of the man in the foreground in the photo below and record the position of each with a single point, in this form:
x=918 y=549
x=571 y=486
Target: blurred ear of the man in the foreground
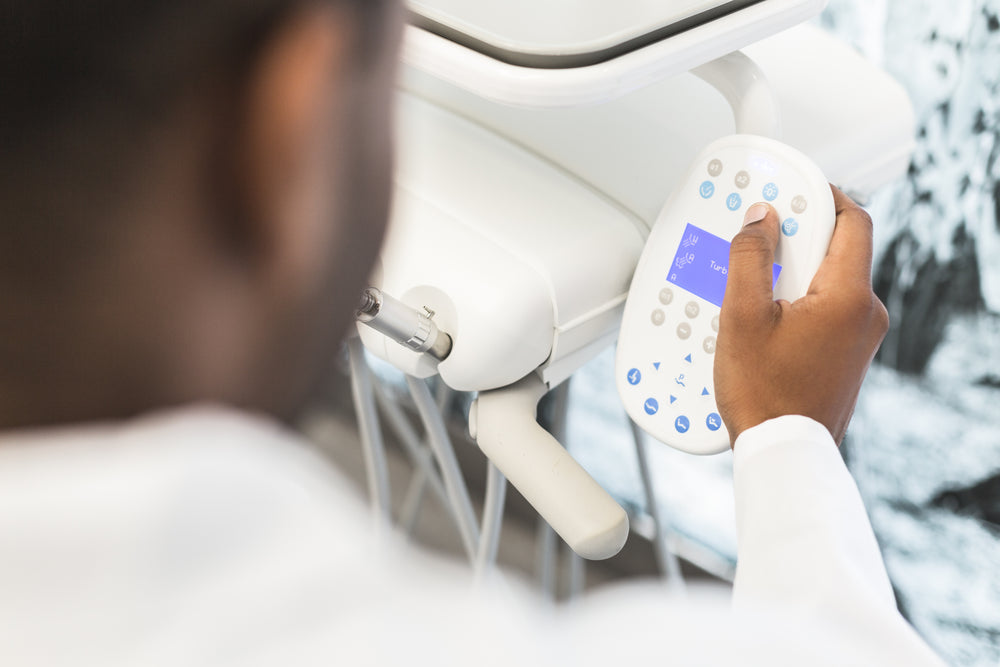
x=287 y=147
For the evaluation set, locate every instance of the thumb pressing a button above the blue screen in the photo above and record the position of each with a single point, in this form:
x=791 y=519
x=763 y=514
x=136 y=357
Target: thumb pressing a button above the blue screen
x=749 y=290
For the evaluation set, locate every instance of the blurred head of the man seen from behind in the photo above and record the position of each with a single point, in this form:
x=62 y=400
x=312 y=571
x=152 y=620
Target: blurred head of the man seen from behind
x=191 y=195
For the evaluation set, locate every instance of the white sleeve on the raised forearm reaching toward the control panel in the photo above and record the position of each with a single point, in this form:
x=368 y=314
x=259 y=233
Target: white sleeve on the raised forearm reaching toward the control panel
x=805 y=545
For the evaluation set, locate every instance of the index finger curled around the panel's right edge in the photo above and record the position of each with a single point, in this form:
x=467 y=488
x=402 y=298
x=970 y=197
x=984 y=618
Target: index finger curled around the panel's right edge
x=849 y=257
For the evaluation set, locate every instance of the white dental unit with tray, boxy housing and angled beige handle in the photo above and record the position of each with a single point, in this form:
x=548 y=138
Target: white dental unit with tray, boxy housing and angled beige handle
x=537 y=142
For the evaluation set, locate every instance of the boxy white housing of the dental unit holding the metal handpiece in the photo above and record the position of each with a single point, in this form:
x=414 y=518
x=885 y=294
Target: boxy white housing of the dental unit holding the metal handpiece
x=518 y=259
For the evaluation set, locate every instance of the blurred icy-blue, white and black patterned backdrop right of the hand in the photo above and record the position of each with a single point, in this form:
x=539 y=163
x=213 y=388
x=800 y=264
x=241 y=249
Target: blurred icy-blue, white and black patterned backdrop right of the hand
x=925 y=444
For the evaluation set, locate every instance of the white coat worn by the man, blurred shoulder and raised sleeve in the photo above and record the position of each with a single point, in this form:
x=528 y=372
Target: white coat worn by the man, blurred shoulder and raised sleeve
x=208 y=537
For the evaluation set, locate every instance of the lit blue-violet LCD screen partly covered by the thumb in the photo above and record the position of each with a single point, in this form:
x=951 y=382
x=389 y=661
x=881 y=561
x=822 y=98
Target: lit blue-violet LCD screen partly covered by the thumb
x=701 y=265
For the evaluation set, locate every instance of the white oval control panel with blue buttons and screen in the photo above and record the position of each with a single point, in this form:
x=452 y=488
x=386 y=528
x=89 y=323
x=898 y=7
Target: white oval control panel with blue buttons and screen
x=666 y=348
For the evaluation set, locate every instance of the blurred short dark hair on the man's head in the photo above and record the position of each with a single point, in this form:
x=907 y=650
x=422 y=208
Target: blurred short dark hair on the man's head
x=84 y=82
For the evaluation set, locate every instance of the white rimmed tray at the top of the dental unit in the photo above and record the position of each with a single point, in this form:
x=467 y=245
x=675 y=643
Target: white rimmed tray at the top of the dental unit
x=587 y=27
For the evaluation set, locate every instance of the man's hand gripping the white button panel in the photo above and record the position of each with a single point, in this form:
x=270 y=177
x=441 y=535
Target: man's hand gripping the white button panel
x=809 y=357
